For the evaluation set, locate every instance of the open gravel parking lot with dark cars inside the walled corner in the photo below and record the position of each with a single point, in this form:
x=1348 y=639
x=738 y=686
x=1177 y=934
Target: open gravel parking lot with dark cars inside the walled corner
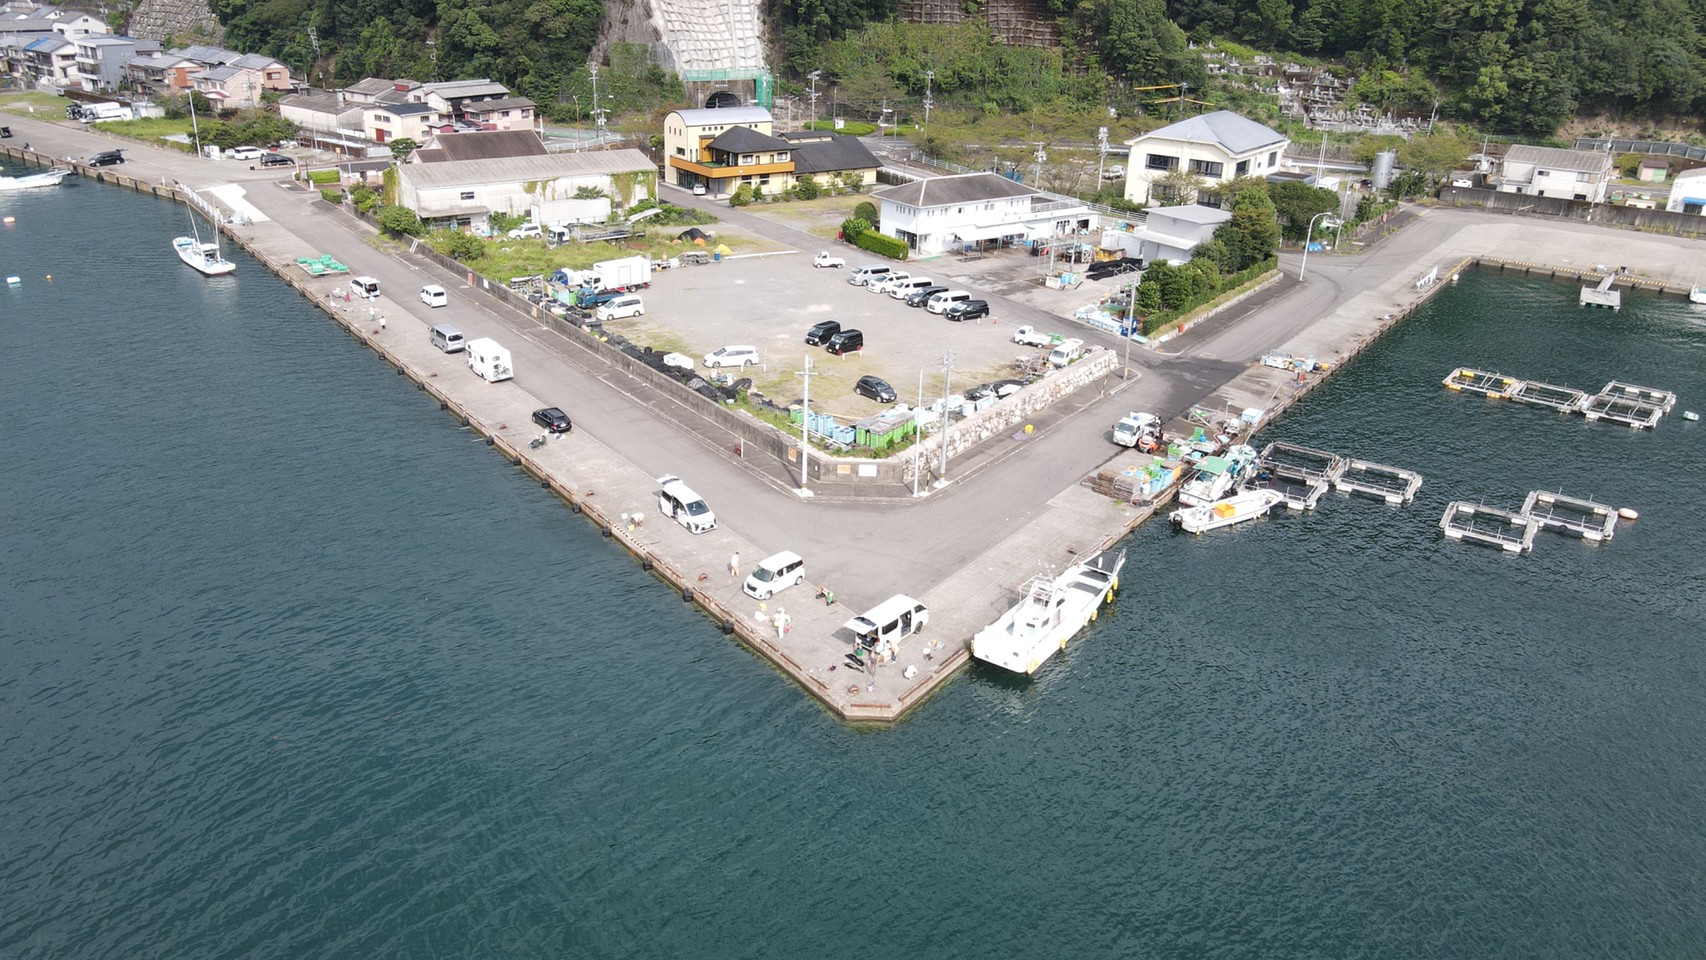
x=772 y=301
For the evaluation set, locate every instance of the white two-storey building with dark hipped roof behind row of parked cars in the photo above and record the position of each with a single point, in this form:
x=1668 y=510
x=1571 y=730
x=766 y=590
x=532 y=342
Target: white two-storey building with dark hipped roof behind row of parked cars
x=944 y=214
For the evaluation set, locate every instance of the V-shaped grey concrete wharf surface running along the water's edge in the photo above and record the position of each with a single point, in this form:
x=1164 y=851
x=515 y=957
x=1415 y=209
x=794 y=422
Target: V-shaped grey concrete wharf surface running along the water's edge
x=1013 y=507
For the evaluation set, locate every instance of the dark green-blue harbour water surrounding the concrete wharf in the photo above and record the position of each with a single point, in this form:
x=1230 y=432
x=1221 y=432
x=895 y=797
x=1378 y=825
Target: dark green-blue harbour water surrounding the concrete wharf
x=274 y=688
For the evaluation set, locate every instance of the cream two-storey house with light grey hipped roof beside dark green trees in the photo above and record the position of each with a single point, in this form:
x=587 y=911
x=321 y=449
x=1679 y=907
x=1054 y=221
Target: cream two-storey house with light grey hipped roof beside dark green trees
x=1214 y=149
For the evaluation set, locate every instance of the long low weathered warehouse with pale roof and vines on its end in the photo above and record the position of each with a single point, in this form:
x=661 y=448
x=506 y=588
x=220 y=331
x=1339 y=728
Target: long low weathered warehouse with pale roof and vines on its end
x=465 y=194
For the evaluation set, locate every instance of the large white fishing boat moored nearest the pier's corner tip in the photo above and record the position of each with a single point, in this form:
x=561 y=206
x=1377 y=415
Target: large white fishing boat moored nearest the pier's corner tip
x=1052 y=613
